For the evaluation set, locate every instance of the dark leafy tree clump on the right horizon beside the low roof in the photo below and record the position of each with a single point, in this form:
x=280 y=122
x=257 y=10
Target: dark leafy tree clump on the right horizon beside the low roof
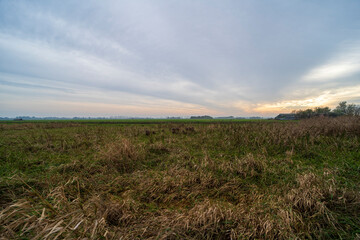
x=342 y=109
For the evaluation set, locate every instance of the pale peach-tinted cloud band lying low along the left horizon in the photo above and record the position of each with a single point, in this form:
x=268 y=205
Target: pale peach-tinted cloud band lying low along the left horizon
x=84 y=104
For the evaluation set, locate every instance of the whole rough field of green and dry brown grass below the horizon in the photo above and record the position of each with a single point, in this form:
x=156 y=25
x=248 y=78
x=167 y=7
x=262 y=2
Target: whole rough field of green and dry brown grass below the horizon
x=180 y=179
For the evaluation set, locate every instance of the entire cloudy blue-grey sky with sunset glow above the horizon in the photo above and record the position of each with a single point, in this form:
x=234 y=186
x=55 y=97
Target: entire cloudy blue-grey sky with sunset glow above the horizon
x=177 y=58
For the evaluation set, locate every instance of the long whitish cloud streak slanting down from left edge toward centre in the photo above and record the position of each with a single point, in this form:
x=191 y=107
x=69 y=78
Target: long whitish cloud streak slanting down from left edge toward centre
x=61 y=66
